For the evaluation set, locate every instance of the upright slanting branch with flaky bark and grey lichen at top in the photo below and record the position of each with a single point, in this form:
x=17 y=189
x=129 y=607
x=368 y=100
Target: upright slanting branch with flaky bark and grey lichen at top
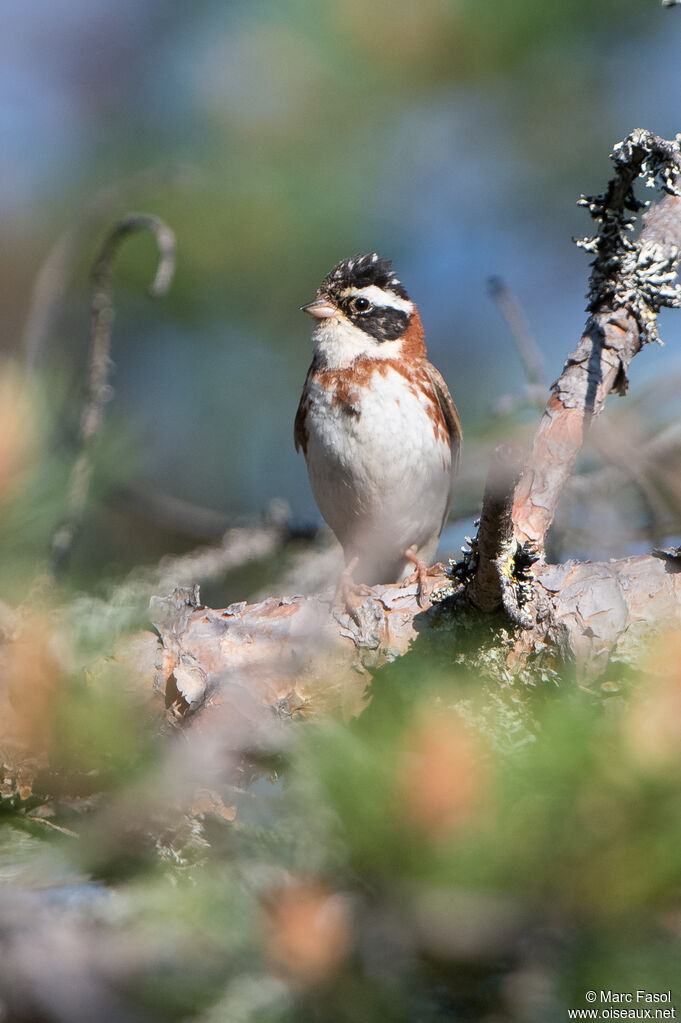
x=630 y=283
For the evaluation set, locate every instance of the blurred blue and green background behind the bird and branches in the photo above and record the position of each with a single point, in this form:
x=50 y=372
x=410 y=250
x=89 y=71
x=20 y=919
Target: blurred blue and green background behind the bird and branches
x=276 y=139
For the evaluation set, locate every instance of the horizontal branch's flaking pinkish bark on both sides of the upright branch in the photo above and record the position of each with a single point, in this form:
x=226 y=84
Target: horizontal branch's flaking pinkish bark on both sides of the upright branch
x=297 y=656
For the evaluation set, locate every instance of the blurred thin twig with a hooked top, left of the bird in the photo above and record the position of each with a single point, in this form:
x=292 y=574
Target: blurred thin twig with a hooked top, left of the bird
x=100 y=392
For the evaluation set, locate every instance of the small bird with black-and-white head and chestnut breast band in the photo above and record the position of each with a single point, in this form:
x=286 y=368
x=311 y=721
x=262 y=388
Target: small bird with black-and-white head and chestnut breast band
x=377 y=424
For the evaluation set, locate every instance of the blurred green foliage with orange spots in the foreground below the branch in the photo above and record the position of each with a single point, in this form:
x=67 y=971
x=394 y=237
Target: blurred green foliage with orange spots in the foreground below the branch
x=464 y=850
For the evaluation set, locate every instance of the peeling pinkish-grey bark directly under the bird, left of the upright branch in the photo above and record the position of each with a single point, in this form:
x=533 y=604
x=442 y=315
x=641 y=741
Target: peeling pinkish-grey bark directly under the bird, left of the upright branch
x=290 y=655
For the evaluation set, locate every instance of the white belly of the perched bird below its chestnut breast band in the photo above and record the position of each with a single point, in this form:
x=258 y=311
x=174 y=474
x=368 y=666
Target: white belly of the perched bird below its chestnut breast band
x=380 y=473
